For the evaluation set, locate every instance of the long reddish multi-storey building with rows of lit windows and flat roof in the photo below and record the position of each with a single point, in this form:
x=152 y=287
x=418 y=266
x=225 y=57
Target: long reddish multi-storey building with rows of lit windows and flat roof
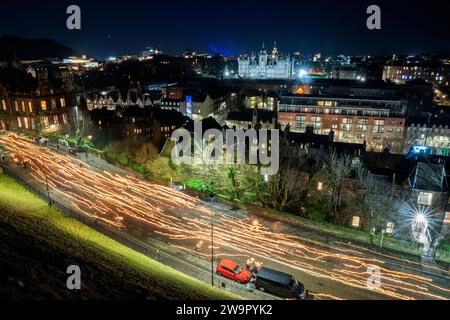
x=377 y=123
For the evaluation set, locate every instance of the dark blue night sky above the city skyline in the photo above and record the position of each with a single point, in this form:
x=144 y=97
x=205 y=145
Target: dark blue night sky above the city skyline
x=233 y=27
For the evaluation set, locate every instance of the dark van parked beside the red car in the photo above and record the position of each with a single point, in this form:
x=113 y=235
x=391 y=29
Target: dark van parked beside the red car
x=280 y=284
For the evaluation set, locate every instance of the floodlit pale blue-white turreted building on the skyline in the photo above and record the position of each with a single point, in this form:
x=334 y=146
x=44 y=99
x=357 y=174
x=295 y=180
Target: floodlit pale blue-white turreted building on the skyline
x=265 y=65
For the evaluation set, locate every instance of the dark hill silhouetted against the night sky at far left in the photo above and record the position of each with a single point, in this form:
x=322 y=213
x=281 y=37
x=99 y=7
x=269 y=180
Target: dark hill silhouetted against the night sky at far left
x=23 y=49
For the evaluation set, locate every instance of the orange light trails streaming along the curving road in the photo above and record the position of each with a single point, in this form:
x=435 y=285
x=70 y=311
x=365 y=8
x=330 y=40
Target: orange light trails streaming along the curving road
x=124 y=201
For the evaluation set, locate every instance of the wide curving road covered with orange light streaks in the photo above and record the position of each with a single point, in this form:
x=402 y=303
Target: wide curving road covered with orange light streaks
x=157 y=214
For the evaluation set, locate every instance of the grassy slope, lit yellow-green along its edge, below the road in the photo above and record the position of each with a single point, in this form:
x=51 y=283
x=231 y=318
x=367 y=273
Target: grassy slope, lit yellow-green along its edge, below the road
x=38 y=244
